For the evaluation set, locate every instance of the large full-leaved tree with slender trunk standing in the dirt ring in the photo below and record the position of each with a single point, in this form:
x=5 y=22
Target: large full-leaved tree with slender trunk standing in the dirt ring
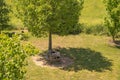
x=46 y=16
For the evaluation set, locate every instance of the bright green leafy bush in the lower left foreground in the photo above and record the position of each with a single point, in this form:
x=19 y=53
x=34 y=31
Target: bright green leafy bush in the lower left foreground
x=13 y=58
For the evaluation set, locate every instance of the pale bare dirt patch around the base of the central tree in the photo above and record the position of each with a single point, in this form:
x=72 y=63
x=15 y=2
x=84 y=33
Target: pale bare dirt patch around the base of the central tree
x=41 y=61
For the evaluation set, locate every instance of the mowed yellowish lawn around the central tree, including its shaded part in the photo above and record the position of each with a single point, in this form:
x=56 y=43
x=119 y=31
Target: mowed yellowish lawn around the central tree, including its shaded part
x=95 y=58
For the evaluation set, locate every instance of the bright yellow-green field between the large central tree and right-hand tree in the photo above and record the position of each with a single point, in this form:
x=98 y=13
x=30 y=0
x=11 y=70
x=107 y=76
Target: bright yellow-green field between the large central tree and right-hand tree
x=93 y=12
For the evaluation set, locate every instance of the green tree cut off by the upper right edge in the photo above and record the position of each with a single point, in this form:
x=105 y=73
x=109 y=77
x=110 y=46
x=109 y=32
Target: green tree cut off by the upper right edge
x=113 y=18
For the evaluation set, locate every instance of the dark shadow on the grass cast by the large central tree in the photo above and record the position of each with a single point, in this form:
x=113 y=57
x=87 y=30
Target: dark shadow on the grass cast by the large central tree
x=86 y=59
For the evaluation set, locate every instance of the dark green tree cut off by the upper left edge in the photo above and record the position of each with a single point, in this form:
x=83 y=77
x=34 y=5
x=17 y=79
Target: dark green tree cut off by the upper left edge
x=4 y=17
